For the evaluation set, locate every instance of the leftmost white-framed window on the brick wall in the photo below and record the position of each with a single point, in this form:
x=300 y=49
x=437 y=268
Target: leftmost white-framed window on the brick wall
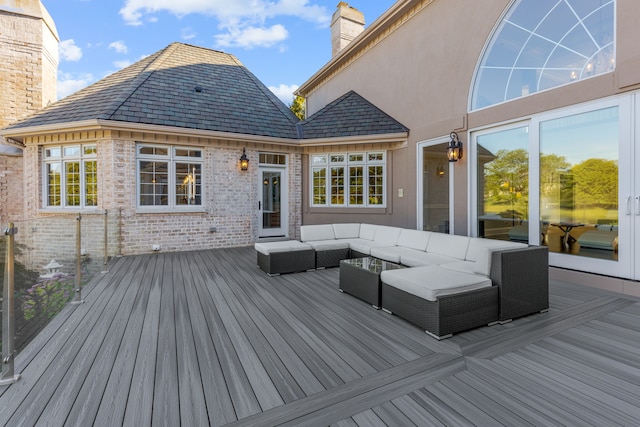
x=71 y=176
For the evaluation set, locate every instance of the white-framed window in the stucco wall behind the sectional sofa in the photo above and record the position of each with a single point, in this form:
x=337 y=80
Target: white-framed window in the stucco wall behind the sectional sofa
x=348 y=179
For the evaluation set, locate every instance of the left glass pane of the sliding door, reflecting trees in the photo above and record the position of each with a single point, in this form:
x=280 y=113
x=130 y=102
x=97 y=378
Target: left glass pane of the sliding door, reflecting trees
x=503 y=184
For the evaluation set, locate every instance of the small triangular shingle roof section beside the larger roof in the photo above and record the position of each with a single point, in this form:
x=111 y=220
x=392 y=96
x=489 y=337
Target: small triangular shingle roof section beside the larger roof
x=349 y=115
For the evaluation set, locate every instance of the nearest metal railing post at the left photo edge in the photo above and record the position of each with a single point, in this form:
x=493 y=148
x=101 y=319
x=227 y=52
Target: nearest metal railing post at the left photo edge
x=8 y=322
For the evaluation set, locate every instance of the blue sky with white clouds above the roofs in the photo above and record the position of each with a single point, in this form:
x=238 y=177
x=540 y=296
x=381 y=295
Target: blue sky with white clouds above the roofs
x=282 y=42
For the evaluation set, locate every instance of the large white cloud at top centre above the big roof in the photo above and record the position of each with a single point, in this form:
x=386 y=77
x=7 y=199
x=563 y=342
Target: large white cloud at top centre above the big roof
x=242 y=22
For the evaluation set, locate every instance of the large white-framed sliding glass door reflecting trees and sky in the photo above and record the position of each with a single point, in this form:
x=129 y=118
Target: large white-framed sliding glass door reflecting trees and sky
x=566 y=180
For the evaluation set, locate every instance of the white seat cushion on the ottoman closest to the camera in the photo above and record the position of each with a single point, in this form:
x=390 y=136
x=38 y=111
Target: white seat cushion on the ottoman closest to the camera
x=432 y=282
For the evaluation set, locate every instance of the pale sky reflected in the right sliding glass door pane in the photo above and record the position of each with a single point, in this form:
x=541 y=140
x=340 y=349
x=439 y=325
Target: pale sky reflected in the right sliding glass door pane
x=592 y=135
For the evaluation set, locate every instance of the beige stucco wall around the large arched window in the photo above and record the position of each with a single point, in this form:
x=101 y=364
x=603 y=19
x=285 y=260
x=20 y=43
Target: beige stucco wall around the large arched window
x=421 y=73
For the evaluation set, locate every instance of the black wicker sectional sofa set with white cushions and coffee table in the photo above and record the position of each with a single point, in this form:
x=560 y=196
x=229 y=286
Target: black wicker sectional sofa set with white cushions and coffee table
x=442 y=283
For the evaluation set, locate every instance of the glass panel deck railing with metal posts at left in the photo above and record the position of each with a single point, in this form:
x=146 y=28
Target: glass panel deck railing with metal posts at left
x=45 y=263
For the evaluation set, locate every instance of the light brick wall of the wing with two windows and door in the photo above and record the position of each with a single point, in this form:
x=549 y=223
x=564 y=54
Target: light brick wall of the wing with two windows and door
x=230 y=205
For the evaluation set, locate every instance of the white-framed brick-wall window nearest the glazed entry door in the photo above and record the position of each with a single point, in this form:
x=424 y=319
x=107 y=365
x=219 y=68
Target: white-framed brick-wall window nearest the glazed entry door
x=169 y=177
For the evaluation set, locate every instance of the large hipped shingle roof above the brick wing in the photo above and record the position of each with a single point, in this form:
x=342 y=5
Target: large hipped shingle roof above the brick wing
x=180 y=86
